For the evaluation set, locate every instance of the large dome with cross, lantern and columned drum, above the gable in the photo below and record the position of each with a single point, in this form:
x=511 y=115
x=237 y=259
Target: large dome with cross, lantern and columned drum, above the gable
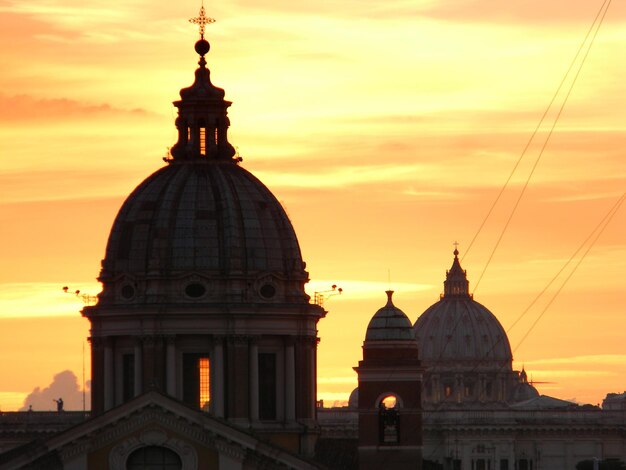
x=203 y=287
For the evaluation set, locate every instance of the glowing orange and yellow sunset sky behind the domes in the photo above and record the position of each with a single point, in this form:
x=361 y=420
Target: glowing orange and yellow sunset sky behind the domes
x=386 y=129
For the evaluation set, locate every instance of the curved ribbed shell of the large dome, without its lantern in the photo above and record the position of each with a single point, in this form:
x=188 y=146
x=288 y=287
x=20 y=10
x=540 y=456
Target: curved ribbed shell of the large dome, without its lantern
x=212 y=220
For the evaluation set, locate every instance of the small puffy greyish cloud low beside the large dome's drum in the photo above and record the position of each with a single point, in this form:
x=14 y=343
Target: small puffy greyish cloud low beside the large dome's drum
x=64 y=385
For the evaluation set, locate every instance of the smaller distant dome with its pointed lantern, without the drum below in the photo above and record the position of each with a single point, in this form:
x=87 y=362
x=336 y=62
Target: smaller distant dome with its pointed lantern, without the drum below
x=458 y=330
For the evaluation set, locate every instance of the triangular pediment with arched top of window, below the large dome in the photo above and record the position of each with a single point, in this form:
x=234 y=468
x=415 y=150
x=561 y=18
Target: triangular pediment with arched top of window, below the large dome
x=156 y=419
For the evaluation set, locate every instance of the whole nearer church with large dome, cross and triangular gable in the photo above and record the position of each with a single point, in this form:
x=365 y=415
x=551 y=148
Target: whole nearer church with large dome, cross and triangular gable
x=203 y=340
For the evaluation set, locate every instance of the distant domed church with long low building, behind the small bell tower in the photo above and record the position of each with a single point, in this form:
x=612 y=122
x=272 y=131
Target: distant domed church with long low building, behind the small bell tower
x=480 y=414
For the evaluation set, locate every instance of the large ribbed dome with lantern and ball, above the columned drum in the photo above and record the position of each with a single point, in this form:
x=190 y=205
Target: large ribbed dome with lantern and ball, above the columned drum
x=202 y=228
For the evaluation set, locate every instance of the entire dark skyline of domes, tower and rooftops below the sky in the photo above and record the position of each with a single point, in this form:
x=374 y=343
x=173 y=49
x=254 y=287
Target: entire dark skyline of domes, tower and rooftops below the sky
x=204 y=348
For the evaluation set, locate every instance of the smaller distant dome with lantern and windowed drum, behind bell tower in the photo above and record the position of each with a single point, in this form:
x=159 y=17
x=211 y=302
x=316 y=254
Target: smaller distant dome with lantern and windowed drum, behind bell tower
x=464 y=349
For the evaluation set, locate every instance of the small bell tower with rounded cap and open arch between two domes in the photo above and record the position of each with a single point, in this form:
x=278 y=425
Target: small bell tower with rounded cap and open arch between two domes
x=390 y=411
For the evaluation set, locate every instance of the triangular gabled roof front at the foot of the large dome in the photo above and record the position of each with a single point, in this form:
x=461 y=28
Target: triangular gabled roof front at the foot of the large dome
x=163 y=421
